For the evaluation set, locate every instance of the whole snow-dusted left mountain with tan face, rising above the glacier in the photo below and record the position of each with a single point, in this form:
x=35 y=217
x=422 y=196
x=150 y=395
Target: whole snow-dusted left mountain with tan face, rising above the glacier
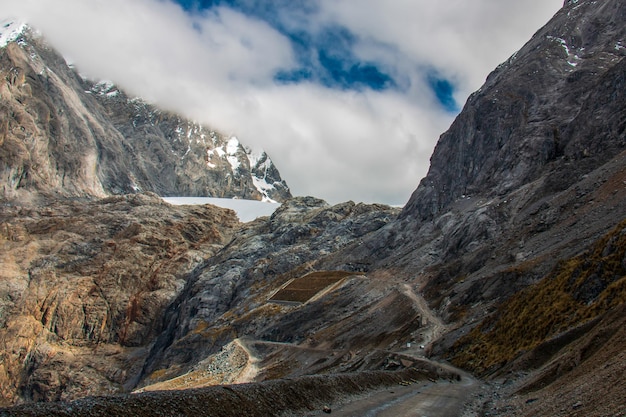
x=63 y=135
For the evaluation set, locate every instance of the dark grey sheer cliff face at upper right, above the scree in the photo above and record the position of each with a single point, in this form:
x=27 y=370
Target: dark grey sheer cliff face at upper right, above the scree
x=553 y=112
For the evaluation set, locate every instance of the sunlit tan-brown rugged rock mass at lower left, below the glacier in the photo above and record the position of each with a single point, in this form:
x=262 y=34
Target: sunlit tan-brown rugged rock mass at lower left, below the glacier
x=84 y=287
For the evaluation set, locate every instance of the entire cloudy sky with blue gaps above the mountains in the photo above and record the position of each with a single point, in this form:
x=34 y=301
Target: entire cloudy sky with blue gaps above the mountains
x=348 y=97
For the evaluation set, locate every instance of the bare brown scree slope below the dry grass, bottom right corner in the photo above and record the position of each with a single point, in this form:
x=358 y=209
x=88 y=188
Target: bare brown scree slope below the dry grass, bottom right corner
x=579 y=373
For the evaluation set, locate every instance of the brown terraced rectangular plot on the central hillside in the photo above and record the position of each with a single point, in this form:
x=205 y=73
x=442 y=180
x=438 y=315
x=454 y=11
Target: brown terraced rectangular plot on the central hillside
x=303 y=289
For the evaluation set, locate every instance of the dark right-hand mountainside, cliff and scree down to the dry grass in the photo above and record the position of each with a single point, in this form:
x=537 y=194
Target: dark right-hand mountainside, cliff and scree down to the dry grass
x=530 y=172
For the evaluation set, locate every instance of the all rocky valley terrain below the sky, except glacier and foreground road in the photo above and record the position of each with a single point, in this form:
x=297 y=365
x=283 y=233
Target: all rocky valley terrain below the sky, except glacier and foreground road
x=508 y=261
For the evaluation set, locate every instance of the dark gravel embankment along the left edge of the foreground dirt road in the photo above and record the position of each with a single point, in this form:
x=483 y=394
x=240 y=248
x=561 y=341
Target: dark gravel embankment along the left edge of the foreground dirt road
x=279 y=397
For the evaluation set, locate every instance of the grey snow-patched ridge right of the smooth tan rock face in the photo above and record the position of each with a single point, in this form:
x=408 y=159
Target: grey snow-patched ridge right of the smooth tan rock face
x=176 y=157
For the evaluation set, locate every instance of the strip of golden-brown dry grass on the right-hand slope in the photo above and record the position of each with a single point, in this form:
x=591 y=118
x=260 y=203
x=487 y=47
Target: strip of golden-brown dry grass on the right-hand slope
x=574 y=292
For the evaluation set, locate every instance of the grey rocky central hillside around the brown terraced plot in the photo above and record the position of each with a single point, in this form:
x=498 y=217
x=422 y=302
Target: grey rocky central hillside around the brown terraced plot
x=230 y=297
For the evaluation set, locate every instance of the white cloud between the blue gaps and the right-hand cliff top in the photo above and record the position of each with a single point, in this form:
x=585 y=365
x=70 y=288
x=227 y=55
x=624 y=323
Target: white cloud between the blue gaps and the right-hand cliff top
x=463 y=39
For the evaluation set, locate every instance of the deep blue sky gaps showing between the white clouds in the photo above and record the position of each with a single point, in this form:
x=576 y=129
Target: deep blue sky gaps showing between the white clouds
x=324 y=54
